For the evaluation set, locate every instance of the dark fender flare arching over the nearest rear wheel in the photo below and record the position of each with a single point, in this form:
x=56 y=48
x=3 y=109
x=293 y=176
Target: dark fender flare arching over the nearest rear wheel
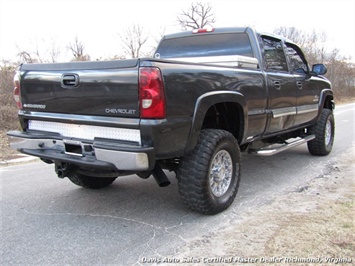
x=203 y=103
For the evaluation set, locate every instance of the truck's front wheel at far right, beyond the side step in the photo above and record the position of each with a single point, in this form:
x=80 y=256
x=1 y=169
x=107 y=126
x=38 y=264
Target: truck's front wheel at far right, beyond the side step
x=324 y=132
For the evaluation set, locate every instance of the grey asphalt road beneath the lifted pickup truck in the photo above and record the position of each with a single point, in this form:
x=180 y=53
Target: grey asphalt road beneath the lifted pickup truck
x=50 y=221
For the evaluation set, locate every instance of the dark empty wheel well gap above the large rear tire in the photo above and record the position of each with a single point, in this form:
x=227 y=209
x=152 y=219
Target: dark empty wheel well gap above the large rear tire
x=227 y=116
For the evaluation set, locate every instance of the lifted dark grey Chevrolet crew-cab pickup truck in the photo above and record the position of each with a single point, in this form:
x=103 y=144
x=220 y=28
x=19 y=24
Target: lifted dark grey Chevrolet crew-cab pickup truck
x=205 y=97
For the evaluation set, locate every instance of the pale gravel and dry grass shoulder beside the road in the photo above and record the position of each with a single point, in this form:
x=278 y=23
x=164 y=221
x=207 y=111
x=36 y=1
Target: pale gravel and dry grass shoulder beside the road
x=311 y=226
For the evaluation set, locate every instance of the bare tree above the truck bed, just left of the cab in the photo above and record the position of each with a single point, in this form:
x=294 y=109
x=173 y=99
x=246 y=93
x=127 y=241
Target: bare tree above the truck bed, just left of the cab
x=133 y=39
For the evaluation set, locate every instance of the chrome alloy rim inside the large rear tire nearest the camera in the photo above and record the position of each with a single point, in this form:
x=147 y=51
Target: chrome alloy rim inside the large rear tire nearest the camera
x=220 y=174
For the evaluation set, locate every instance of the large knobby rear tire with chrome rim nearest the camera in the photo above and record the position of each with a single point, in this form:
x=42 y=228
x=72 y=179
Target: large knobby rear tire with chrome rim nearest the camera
x=209 y=176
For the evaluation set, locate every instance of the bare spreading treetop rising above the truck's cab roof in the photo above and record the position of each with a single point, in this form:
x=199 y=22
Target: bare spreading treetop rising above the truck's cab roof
x=198 y=16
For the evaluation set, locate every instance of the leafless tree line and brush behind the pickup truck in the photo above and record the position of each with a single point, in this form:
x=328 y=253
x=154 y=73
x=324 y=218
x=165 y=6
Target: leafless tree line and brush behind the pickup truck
x=341 y=71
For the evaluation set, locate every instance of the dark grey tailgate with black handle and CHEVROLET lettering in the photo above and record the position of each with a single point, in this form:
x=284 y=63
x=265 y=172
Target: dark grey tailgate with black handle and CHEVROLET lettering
x=108 y=88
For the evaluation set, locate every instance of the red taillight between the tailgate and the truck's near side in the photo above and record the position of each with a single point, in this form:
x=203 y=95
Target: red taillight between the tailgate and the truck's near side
x=151 y=93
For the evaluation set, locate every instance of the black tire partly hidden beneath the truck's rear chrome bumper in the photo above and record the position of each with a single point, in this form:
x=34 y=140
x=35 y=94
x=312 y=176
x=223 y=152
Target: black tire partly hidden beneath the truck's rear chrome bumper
x=92 y=182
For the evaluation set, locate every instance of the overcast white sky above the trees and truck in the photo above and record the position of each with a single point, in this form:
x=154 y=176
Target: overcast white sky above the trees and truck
x=25 y=23
